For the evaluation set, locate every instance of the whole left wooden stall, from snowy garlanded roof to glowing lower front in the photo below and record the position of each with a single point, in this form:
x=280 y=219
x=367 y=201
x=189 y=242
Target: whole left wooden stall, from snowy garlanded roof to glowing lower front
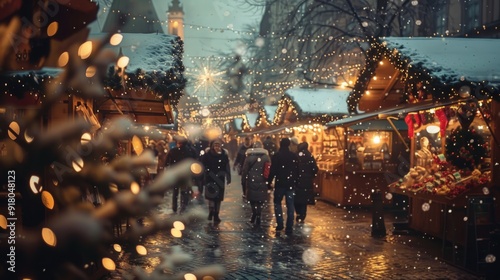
x=145 y=86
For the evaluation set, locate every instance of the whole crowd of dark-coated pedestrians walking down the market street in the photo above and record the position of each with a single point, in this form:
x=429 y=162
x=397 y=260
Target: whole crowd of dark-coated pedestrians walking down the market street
x=286 y=171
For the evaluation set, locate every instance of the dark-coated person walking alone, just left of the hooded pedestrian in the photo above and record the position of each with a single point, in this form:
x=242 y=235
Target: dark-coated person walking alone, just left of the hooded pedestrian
x=217 y=174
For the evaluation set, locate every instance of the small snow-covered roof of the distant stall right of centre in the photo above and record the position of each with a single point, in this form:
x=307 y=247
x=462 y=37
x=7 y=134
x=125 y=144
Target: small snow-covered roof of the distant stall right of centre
x=317 y=101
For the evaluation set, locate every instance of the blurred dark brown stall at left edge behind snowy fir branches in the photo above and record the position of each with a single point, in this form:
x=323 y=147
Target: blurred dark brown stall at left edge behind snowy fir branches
x=31 y=73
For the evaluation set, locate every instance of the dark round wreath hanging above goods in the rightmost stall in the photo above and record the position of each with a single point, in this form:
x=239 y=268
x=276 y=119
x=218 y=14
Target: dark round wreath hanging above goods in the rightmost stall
x=465 y=148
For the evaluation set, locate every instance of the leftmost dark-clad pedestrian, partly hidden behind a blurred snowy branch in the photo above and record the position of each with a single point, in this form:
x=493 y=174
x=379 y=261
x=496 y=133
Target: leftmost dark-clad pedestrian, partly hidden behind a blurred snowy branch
x=180 y=152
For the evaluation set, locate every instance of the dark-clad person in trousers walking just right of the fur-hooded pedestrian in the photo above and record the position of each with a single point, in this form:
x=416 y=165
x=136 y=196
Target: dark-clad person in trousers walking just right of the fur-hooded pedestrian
x=284 y=168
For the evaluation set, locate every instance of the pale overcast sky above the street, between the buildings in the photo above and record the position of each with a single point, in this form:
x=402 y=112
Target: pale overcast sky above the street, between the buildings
x=211 y=27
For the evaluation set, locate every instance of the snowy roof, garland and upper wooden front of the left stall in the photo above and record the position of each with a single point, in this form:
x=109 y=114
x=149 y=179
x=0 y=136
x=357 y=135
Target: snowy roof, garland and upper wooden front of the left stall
x=149 y=83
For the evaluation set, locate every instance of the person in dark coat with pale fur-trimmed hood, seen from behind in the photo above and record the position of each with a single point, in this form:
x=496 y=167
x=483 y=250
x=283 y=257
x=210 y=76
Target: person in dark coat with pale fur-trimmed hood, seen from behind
x=256 y=183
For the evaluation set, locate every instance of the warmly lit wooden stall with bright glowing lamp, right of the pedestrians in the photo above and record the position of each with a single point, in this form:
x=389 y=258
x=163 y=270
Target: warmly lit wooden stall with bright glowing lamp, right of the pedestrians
x=359 y=153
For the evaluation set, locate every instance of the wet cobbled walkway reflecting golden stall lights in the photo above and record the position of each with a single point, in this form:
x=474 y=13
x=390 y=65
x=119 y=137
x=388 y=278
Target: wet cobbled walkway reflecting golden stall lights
x=334 y=243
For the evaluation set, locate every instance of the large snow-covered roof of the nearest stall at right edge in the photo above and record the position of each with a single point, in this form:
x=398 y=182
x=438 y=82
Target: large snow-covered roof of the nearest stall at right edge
x=452 y=59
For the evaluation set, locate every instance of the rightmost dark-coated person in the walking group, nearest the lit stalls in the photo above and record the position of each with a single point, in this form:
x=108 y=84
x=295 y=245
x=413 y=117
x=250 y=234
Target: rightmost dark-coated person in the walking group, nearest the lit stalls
x=304 y=192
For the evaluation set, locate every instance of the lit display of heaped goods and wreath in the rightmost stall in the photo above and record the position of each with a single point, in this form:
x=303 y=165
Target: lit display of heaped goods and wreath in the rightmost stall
x=453 y=163
